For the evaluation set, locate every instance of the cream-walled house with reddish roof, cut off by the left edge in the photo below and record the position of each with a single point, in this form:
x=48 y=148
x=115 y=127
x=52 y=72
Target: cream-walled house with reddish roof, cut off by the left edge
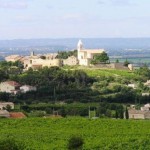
x=10 y=87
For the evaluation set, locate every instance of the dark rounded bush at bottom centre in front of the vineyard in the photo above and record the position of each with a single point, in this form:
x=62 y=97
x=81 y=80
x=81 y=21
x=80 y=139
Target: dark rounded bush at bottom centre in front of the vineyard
x=75 y=143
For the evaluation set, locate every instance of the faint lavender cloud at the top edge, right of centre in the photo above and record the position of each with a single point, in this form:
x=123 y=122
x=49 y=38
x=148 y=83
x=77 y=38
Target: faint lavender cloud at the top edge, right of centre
x=116 y=2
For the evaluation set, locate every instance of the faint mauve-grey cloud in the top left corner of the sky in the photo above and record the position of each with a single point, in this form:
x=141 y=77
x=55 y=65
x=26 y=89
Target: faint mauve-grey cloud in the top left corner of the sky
x=14 y=4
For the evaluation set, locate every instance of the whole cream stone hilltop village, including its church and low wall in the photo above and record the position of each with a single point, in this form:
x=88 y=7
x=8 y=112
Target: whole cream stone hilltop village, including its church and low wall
x=84 y=57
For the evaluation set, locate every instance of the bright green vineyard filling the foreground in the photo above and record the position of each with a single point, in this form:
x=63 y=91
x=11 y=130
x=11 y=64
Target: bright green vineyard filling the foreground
x=53 y=134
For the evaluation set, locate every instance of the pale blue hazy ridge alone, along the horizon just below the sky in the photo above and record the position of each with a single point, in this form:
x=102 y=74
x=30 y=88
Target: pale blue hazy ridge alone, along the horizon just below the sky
x=108 y=43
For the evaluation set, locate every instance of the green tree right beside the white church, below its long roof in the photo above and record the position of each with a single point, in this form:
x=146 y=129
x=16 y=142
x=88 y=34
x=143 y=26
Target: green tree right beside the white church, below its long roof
x=100 y=58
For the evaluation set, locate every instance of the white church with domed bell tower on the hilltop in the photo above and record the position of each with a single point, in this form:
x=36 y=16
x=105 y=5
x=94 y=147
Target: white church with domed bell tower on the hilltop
x=86 y=55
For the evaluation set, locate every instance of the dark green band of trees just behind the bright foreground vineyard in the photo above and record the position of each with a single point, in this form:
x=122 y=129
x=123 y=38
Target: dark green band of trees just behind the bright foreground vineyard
x=103 y=109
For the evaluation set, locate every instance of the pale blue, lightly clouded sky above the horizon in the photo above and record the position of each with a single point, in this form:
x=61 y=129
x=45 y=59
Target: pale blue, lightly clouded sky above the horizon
x=27 y=19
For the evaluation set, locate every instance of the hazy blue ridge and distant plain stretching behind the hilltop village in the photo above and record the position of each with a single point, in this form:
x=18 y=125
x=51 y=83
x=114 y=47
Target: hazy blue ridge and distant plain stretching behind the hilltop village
x=124 y=47
